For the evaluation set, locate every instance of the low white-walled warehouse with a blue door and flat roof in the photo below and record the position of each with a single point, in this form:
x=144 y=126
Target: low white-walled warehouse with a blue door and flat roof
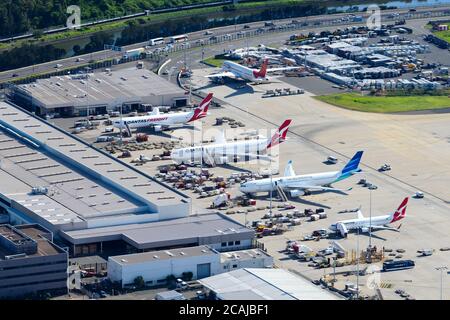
x=197 y=262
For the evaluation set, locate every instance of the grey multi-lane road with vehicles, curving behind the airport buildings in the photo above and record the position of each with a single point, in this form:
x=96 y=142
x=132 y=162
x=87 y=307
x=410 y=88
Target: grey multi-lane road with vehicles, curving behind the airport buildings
x=313 y=22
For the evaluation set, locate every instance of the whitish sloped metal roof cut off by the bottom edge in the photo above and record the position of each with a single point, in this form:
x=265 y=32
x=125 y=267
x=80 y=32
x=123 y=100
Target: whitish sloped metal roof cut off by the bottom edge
x=264 y=284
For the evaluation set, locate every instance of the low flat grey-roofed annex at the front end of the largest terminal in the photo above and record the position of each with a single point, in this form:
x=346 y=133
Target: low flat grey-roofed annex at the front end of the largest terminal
x=215 y=230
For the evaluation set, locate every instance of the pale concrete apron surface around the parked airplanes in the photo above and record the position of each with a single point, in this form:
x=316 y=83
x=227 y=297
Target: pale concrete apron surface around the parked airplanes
x=417 y=147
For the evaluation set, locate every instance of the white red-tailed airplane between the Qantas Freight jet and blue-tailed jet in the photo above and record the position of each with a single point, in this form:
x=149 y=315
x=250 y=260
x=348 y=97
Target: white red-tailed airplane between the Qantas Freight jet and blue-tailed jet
x=222 y=152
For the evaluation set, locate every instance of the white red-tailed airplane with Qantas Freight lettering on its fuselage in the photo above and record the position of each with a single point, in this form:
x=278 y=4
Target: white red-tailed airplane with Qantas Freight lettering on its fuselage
x=158 y=120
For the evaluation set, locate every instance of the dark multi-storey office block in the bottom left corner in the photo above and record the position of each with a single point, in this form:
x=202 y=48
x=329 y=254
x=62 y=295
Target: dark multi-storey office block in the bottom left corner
x=30 y=262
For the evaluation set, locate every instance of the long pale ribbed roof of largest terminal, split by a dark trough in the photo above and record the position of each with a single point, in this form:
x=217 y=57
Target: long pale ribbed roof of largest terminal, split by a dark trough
x=83 y=183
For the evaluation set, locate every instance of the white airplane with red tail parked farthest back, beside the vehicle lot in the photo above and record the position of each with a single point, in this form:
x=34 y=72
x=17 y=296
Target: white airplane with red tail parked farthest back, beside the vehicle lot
x=234 y=70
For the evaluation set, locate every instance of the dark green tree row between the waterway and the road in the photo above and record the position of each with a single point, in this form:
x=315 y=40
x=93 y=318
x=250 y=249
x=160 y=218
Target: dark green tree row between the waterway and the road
x=141 y=30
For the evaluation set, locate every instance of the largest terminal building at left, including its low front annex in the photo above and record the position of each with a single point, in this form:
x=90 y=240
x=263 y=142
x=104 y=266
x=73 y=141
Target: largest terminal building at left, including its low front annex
x=92 y=202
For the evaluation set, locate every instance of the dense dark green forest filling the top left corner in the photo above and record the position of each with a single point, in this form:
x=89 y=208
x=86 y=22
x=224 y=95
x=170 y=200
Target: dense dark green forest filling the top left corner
x=20 y=16
